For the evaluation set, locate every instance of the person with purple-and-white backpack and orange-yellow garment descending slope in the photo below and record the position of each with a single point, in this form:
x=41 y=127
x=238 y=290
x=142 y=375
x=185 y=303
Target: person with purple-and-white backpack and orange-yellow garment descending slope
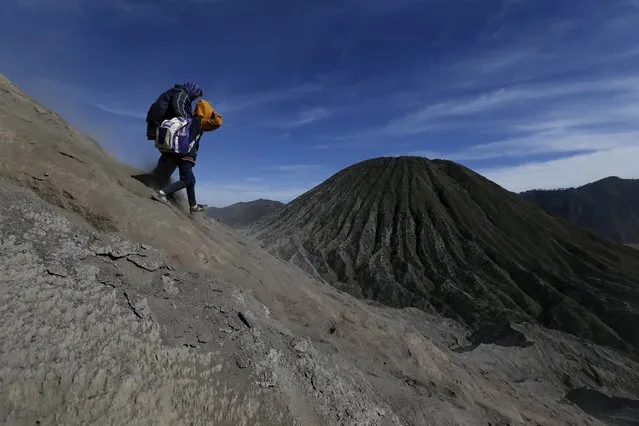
x=204 y=119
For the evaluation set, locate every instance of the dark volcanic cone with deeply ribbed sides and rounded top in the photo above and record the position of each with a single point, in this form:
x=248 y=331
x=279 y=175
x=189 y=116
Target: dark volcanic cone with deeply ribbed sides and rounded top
x=435 y=235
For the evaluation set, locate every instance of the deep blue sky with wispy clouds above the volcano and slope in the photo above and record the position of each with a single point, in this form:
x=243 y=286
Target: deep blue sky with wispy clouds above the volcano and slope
x=530 y=93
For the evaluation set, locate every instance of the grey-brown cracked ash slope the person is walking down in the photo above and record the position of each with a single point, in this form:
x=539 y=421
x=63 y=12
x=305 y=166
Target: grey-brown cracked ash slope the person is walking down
x=103 y=321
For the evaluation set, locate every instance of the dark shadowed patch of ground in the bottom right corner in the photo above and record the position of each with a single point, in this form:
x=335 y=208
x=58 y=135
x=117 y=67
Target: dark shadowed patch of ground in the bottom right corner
x=613 y=411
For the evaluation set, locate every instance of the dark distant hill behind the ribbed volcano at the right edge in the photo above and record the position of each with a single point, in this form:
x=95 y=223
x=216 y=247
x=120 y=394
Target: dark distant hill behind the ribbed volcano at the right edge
x=608 y=207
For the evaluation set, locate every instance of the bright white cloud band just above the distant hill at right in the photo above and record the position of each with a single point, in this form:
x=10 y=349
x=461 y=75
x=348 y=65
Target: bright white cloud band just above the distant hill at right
x=567 y=172
